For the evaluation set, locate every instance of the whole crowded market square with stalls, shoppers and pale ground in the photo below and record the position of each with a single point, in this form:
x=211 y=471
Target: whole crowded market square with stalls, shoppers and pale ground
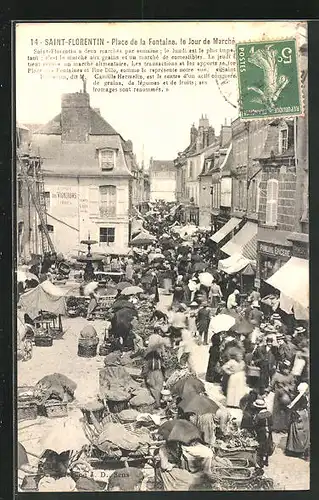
x=147 y=339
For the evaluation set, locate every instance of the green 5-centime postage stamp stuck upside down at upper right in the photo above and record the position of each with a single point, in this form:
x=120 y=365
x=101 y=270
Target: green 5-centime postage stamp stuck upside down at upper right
x=268 y=79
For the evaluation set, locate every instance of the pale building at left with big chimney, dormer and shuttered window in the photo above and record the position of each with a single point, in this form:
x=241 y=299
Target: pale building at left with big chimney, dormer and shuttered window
x=88 y=176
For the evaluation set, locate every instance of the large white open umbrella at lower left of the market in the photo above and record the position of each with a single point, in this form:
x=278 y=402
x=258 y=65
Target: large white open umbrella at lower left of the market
x=66 y=435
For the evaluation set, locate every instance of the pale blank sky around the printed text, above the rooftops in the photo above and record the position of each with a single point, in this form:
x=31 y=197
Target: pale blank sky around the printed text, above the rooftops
x=158 y=124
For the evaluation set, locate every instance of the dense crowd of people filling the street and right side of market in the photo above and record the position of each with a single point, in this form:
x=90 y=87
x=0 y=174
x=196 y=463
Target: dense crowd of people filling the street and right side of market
x=260 y=364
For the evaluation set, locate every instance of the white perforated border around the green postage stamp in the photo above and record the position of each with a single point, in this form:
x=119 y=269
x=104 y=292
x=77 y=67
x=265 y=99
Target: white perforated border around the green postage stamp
x=266 y=39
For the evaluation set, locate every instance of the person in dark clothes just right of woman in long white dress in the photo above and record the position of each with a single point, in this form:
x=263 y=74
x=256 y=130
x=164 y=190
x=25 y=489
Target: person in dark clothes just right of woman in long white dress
x=265 y=357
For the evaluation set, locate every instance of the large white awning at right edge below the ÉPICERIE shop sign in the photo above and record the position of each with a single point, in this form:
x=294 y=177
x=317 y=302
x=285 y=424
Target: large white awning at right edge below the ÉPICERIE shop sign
x=292 y=279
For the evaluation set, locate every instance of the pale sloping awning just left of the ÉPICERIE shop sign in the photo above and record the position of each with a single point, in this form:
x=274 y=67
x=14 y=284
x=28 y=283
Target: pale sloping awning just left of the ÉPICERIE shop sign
x=244 y=242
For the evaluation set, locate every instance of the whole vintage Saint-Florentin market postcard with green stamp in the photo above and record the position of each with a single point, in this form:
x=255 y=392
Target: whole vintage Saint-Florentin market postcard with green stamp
x=162 y=272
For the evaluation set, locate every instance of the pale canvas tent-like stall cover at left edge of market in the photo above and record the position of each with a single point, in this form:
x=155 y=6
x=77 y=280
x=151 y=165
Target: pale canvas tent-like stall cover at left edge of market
x=45 y=297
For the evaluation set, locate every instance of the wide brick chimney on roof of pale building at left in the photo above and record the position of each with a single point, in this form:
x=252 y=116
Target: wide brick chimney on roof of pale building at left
x=75 y=117
